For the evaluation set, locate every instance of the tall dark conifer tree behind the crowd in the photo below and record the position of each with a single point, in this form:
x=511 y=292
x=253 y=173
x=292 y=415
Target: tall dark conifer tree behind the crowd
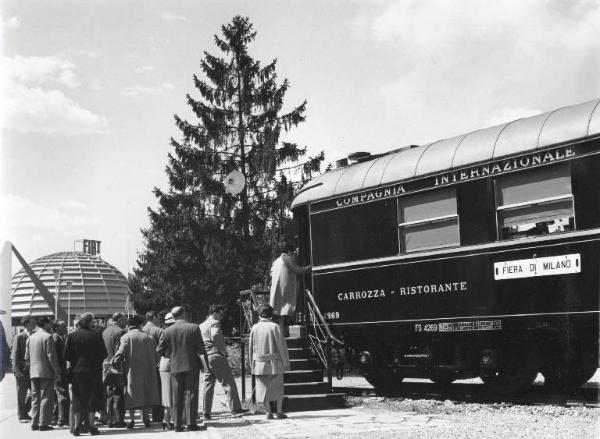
x=205 y=244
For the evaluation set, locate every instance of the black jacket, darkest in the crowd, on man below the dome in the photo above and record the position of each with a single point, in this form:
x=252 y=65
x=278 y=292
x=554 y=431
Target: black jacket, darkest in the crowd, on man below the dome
x=85 y=350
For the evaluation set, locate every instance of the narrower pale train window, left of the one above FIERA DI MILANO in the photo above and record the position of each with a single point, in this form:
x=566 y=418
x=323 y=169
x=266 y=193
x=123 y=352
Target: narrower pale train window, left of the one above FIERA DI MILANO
x=428 y=220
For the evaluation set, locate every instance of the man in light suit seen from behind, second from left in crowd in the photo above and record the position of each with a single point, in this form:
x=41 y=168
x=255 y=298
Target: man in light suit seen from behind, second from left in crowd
x=44 y=372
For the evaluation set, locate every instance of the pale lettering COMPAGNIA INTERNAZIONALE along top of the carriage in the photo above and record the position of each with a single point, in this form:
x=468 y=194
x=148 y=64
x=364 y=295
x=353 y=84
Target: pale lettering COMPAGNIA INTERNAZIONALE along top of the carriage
x=474 y=172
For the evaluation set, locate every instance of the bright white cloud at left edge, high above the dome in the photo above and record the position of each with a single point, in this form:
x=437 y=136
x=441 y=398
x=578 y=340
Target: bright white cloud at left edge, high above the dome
x=29 y=107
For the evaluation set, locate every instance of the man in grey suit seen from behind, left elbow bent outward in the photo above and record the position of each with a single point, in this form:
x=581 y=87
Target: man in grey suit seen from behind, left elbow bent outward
x=182 y=343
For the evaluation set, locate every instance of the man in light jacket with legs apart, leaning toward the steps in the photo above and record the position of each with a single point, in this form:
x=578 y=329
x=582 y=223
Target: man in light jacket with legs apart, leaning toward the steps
x=214 y=343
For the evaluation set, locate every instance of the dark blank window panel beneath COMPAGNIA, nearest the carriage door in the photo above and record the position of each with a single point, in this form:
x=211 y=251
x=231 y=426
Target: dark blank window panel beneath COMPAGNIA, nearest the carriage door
x=353 y=233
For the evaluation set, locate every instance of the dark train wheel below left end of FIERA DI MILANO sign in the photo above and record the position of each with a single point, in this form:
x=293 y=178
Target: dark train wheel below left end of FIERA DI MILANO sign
x=507 y=370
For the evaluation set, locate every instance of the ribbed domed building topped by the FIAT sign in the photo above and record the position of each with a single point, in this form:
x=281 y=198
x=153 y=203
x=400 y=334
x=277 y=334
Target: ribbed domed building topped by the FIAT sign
x=85 y=282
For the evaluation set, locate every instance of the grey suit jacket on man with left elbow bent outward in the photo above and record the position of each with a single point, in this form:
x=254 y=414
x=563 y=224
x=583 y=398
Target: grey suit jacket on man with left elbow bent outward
x=182 y=343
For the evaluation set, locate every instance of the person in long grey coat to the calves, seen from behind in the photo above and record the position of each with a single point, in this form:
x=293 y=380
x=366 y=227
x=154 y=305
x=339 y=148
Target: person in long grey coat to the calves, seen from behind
x=138 y=350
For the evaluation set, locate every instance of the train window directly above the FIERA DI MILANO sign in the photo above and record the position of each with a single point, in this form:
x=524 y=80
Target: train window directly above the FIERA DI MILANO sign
x=535 y=203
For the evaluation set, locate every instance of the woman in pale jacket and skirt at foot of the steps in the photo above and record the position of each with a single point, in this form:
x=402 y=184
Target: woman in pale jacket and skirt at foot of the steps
x=269 y=359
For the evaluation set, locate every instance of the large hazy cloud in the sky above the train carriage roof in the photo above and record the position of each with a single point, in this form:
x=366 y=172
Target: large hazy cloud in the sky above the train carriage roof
x=458 y=67
